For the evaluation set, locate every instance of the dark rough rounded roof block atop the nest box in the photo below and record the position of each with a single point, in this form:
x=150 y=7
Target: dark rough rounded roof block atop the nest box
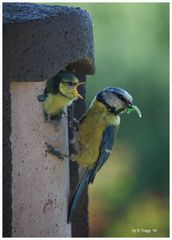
x=40 y=39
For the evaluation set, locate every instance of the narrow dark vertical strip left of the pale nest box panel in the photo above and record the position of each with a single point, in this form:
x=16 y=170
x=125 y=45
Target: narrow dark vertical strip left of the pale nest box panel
x=7 y=163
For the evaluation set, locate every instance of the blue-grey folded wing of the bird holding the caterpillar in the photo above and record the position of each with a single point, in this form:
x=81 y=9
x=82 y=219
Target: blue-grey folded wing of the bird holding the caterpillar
x=108 y=140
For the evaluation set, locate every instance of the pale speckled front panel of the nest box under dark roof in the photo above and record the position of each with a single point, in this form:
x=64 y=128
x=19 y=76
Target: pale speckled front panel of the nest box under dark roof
x=40 y=181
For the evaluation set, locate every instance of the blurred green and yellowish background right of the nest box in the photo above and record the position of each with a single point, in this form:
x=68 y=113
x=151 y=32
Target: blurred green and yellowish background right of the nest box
x=130 y=193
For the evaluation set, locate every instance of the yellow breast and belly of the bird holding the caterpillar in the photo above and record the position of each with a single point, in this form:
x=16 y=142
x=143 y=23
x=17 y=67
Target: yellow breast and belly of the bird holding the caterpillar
x=89 y=137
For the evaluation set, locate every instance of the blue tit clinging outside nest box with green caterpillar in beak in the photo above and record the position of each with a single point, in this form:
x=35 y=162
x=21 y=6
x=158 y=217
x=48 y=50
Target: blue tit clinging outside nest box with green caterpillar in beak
x=96 y=134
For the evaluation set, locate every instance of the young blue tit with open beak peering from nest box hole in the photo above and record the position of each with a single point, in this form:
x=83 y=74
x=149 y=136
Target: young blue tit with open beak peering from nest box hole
x=60 y=91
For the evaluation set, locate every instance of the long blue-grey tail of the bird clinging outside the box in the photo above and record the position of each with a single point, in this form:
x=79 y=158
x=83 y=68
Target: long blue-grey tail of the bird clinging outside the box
x=83 y=181
